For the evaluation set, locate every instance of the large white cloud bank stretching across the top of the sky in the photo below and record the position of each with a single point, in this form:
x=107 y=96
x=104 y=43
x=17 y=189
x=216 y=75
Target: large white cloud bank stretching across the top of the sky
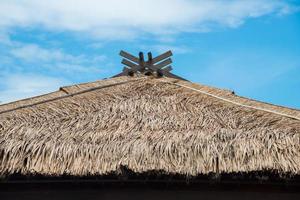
x=117 y=19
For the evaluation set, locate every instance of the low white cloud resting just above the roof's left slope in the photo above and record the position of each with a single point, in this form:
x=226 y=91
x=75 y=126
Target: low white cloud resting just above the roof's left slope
x=27 y=85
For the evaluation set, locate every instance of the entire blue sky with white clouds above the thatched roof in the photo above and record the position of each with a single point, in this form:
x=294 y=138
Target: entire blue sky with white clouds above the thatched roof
x=251 y=47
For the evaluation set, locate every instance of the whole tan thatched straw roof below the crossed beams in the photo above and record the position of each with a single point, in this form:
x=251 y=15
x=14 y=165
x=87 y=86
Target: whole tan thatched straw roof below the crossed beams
x=146 y=124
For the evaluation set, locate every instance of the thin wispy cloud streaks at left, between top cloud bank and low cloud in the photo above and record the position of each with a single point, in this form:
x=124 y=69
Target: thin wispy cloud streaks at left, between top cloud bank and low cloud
x=31 y=56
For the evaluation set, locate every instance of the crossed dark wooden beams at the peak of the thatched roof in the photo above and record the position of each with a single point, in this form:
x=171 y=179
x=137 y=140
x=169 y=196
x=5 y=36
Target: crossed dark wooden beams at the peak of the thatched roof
x=159 y=66
